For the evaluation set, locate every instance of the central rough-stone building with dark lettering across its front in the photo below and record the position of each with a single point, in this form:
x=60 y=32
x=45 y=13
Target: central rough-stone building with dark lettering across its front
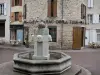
x=66 y=20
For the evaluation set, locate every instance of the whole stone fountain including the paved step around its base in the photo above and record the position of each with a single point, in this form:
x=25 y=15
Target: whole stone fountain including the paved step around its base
x=41 y=61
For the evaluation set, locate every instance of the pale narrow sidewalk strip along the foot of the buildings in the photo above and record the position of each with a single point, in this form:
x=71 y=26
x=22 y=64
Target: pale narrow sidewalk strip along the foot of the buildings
x=30 y=49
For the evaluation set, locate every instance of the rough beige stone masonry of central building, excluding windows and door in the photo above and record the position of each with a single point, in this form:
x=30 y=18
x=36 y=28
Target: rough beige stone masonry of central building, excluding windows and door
x=37 y=9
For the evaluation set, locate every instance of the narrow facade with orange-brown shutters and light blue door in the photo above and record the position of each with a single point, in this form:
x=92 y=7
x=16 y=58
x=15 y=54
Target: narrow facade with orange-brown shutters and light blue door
x=16 y=20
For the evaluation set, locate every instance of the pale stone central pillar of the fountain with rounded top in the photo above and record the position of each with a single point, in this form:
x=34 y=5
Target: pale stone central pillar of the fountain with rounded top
x=41 y=45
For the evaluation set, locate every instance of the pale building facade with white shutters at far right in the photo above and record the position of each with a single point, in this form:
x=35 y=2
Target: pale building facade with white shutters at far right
x=93 y=22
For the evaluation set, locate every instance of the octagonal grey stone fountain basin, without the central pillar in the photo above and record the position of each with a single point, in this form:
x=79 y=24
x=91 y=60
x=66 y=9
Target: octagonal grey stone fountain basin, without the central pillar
x=58 y=63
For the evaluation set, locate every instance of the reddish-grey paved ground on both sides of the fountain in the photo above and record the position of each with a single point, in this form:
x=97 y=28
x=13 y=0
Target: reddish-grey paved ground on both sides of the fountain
x=88 y=58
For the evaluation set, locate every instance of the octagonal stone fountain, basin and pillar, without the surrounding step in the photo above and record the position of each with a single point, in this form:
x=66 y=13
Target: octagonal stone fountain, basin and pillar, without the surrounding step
x=41 y=60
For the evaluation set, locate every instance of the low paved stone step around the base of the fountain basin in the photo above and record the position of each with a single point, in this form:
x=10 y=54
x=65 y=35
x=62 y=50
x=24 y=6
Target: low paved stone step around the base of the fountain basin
x=7 y=69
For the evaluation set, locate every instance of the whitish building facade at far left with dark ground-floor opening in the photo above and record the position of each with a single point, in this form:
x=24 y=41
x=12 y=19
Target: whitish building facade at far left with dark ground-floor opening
x=5 y=20
